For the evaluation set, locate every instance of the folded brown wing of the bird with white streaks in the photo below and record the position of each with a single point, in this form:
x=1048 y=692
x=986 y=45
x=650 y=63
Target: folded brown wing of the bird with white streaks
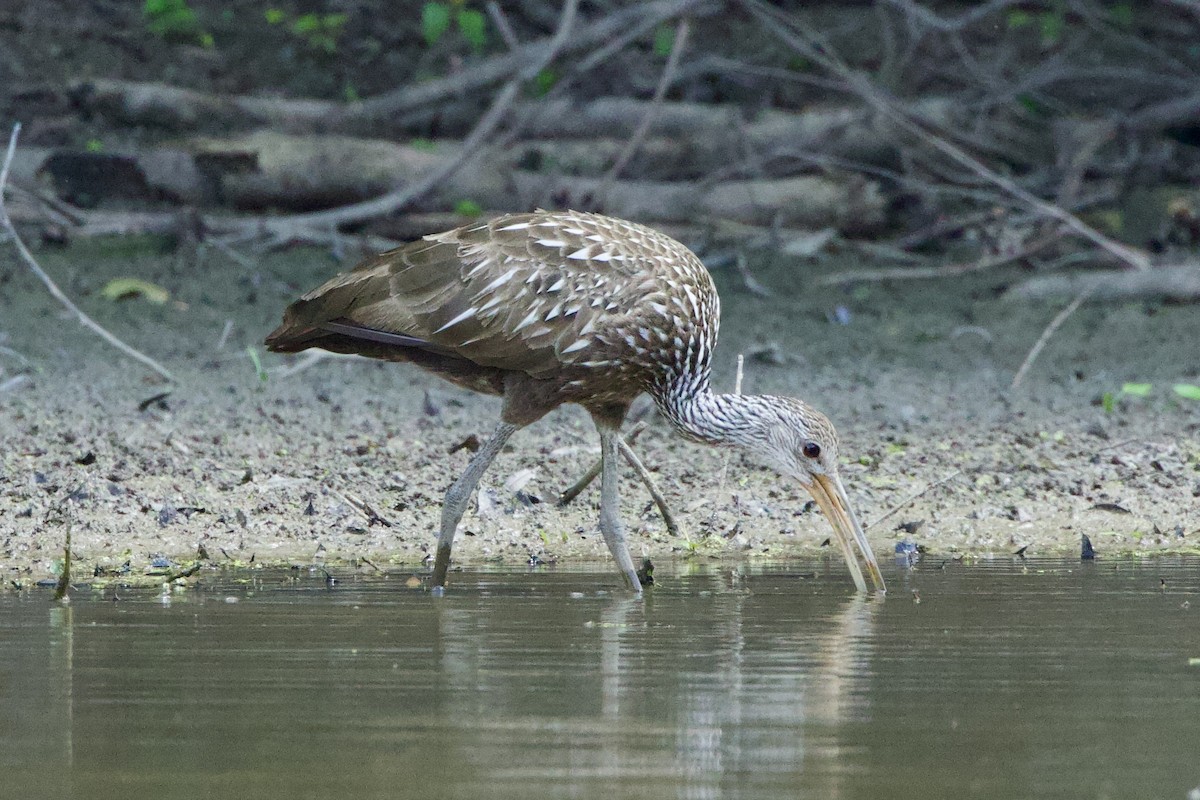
x=523 y=292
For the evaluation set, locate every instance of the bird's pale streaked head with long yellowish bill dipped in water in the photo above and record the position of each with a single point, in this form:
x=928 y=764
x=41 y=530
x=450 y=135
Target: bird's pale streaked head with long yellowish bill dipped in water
x=800 y=442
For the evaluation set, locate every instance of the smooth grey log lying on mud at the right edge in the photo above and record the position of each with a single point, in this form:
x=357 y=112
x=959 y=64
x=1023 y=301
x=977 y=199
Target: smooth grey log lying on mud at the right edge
x=1180 y=282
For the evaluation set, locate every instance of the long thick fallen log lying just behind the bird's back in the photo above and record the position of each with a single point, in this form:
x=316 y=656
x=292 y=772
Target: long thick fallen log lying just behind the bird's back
x=275 y=171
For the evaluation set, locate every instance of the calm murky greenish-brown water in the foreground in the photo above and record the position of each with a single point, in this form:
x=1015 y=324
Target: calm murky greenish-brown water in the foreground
x=1005 y=681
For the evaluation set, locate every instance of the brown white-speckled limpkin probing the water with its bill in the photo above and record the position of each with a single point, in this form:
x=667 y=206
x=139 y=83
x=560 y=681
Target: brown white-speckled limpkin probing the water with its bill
x=562 y=308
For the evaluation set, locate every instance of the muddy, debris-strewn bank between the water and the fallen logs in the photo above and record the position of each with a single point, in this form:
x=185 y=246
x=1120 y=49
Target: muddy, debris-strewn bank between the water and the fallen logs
x=283 y=472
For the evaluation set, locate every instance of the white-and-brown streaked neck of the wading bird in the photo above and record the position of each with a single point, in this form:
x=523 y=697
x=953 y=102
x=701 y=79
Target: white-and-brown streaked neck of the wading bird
x=701 y=414
